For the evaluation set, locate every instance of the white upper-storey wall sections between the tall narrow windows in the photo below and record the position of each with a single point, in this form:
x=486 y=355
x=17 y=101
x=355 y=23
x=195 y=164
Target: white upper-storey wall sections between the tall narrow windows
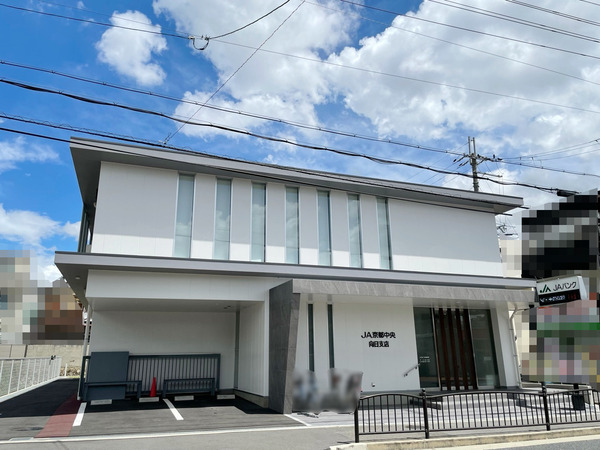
x=424 y=237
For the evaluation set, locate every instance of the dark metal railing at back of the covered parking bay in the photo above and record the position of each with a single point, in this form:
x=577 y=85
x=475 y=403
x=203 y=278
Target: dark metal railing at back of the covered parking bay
x=164 y=367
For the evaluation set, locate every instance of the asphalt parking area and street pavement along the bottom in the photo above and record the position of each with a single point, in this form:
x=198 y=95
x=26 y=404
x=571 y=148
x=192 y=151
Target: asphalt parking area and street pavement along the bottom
x=51 y=417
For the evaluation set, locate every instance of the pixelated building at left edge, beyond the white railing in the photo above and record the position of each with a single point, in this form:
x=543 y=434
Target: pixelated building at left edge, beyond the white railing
x=31 y=313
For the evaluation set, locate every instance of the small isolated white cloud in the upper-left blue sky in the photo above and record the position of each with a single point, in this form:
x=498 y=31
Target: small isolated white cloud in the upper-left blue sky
x=131 y=52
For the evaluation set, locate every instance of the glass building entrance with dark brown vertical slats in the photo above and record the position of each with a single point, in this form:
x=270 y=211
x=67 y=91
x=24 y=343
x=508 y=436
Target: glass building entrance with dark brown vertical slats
x=455 y=348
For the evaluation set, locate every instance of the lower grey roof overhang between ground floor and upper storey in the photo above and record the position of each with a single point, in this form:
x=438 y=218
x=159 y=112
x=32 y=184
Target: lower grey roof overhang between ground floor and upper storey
x=349 y=282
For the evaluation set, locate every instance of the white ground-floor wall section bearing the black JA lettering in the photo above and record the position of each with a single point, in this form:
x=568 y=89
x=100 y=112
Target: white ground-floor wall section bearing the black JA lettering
x=383 y=367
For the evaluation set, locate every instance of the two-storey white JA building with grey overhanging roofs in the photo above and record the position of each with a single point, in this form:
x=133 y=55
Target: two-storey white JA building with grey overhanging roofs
x=280 y=270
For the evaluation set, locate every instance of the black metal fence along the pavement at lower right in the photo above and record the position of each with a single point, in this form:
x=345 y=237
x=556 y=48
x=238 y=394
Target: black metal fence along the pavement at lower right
x=468 y=410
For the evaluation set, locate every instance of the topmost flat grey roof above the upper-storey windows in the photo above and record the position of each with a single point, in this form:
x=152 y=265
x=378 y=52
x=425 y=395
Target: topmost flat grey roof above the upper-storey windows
x=88 y=154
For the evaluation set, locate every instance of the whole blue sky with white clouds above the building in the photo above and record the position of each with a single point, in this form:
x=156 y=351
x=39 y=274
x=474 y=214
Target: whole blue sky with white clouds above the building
x=424 y=74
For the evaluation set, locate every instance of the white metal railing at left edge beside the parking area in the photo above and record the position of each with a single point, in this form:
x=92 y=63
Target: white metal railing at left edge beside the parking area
x=17 y=374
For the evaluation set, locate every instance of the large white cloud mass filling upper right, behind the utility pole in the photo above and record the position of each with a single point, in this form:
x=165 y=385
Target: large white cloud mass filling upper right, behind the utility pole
x=421 y=99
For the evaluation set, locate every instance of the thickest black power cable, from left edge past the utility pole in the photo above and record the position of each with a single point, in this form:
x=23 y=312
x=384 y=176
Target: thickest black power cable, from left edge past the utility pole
x=249 y=133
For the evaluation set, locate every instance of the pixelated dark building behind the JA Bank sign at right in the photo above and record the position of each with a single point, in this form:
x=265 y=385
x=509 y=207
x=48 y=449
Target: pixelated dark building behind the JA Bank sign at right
x=564 y=340
